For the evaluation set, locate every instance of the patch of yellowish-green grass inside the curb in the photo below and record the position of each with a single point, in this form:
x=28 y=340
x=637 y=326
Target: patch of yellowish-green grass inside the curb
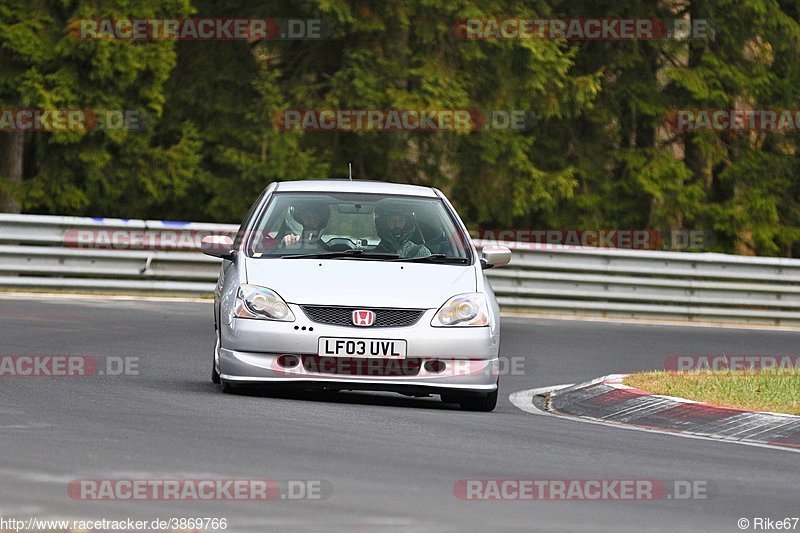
x=776 y=390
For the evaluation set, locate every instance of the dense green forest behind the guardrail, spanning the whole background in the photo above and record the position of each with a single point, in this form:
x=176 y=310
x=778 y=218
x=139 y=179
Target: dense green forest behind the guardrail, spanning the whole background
x=597 y=149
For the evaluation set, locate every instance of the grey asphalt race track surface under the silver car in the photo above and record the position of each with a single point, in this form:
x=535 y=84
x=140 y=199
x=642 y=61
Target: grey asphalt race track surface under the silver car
x=391 y=461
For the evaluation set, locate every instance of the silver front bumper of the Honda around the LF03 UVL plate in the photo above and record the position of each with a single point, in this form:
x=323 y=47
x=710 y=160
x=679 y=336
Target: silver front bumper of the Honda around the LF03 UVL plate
x=250 y=352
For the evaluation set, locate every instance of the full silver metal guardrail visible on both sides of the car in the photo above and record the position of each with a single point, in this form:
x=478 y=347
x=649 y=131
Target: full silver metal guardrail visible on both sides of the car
x=70 y=253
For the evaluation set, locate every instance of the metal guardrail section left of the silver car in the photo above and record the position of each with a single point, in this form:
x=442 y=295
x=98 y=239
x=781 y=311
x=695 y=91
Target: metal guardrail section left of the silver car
x=86 y=254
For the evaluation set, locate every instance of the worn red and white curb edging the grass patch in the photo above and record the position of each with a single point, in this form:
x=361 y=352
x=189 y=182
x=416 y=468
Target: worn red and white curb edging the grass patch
x=607 y=401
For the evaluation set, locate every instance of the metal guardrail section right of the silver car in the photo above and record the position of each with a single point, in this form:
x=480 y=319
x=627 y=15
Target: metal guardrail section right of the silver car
x=632 y=283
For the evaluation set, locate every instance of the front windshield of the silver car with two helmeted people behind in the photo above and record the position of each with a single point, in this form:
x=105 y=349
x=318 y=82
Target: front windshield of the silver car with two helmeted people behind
x=357 y=226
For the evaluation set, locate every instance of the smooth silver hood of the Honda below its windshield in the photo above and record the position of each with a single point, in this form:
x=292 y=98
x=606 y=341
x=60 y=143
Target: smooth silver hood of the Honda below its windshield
x=348 y=282
